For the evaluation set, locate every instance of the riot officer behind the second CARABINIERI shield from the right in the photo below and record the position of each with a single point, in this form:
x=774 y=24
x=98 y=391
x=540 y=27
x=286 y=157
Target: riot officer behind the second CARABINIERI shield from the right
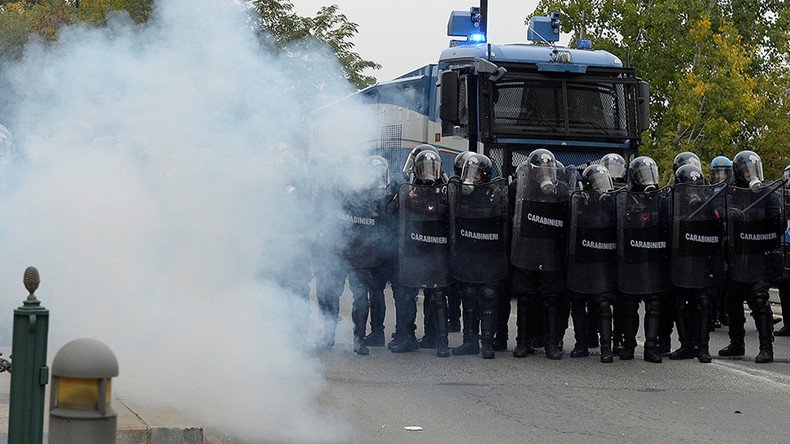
x=698 y=265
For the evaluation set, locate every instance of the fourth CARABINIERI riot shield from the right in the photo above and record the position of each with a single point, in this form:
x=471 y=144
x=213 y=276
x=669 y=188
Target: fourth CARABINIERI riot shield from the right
x=592 y=243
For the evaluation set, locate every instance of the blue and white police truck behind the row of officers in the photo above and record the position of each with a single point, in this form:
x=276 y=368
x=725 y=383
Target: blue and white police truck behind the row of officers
x=507 y=100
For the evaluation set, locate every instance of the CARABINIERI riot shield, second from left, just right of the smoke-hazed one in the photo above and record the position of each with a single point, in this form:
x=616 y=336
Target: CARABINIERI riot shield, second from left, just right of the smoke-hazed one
x=424 y=259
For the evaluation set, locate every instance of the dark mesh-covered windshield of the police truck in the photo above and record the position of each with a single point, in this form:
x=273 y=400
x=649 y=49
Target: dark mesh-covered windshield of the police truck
x=544 y=106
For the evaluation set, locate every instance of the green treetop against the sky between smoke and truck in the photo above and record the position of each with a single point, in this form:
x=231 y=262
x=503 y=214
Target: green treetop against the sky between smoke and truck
x=285 y=30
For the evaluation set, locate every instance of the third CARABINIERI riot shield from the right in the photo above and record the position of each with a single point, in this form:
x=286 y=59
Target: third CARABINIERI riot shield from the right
x=643 y=234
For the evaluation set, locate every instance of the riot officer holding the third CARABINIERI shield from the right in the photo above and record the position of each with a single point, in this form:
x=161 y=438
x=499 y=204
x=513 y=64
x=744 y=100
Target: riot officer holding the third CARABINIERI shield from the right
x=643 y=213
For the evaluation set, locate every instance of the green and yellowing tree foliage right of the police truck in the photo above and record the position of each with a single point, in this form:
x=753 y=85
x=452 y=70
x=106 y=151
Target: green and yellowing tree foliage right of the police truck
x=718 y=70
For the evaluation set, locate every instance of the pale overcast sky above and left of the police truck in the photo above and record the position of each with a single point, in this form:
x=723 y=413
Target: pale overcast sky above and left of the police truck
x=407 y=34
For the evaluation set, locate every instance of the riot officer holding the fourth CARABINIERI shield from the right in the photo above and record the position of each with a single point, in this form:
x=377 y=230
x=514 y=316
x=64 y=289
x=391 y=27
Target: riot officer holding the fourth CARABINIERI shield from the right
x=592 y=258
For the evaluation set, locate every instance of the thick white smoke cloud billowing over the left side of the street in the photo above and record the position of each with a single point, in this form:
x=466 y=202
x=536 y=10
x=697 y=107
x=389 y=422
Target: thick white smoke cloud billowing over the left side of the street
x=145 y=191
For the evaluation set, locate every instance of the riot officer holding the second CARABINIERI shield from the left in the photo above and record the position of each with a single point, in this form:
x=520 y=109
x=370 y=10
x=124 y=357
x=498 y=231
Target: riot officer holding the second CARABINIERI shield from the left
x=423 y=243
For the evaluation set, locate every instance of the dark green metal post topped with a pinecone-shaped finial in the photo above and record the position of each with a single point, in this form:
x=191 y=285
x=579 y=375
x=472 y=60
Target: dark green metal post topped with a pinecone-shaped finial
x=30 y=373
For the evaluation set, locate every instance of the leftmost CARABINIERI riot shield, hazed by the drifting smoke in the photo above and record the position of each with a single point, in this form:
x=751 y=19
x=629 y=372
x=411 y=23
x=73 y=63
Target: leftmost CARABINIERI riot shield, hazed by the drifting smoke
x=360 y=217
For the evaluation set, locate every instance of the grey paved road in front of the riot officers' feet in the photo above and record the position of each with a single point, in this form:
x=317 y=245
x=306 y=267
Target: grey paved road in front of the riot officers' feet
x=467 y=399
